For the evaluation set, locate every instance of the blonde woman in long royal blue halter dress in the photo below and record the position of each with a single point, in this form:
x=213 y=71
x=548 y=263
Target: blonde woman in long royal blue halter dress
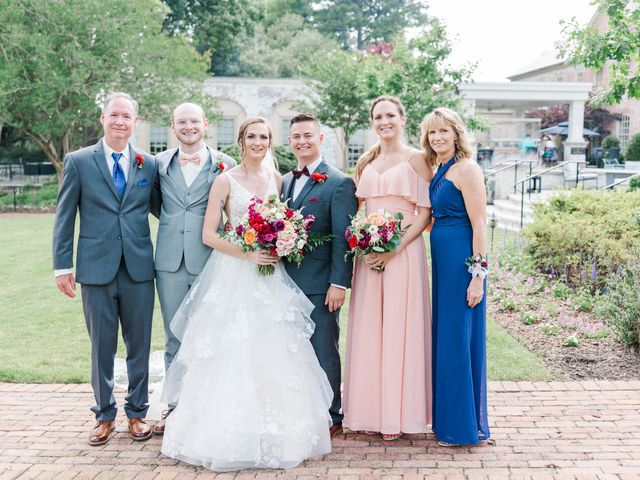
x=458 y=251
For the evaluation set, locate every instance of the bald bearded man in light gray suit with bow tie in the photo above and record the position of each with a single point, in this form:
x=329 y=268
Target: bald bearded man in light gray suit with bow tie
x=182 y=192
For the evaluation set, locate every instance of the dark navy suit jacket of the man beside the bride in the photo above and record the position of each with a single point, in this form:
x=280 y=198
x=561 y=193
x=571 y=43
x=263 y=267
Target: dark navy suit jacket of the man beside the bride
x=332 y=203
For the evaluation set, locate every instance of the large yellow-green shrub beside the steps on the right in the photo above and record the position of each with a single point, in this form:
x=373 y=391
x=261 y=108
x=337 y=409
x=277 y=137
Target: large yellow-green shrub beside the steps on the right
x=585 y=236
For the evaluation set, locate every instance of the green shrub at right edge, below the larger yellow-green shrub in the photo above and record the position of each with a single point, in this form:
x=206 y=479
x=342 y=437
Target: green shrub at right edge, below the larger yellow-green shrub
x=620 y=305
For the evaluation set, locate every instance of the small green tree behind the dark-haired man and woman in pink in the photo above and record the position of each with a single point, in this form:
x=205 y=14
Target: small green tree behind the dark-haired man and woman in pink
x=340 y=90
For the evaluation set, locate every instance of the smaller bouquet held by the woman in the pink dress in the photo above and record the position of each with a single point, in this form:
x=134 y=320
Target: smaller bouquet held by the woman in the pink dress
x=377 y=232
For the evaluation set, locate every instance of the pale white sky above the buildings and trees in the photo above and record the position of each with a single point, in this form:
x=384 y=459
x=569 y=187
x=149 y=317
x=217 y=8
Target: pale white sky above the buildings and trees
x=504 y=36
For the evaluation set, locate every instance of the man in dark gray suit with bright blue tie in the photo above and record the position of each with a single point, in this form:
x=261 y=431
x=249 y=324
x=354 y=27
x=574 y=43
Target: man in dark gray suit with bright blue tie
x=110 y=184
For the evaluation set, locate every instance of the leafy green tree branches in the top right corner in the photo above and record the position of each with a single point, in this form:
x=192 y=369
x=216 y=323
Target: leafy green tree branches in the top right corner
x=619 y=47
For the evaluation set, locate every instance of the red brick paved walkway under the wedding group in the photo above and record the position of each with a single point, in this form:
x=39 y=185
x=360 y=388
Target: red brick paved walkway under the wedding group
x=577 y=430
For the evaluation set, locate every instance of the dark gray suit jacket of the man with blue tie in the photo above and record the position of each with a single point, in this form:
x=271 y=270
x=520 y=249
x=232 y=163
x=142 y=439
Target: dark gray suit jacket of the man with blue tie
x=110 y=227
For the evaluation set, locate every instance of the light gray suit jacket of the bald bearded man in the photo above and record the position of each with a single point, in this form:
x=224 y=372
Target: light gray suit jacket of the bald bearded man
x=181 y=211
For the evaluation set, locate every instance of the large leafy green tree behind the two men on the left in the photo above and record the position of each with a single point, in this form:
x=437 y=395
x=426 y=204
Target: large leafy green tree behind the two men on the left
x=58 y=59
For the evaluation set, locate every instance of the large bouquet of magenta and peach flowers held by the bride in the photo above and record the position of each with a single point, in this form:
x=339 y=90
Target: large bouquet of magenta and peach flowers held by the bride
x=272 y=226
